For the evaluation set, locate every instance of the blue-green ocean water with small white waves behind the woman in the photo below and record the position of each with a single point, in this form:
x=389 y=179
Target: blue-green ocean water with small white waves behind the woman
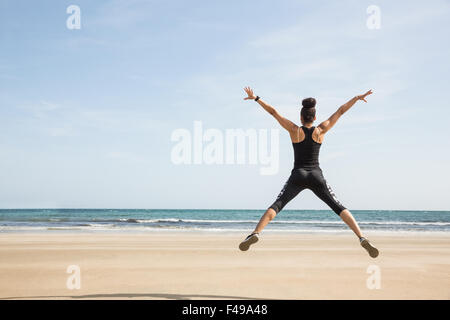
x=150 y=220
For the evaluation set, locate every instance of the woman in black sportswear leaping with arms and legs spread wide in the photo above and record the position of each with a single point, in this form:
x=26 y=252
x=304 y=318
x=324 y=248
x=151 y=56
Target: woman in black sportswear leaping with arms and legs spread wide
x=307 y=173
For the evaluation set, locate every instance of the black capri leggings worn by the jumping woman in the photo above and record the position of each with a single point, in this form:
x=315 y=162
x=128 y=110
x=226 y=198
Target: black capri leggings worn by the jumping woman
x=312 y=179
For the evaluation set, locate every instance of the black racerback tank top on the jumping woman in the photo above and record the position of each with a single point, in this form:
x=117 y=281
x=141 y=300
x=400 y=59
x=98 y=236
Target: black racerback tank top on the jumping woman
x=306 y=152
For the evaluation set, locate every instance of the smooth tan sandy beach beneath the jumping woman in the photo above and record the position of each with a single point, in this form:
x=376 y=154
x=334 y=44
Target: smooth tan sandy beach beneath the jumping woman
x=206 y=265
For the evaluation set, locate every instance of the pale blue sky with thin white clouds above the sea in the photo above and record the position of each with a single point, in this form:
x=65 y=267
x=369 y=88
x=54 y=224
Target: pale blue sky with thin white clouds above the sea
x=87 y=115
